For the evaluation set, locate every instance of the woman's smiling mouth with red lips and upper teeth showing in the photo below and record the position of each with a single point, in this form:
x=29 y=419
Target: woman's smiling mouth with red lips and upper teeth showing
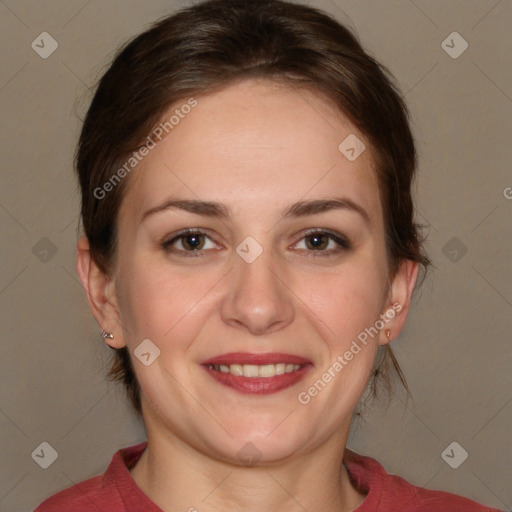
x=257 y=373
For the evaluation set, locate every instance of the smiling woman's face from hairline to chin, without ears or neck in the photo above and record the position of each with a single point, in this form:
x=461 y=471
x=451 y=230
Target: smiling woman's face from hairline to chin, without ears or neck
x=262 y=184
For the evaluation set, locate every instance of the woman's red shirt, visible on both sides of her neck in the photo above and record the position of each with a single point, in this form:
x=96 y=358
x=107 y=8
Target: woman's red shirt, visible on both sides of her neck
x=116 y=491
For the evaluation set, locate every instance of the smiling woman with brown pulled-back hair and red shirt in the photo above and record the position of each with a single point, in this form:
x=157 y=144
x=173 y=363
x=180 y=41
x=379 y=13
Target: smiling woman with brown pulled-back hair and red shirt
x=249 y=252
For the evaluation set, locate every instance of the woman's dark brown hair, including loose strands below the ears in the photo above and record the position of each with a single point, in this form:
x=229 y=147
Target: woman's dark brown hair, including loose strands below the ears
x=213 y=44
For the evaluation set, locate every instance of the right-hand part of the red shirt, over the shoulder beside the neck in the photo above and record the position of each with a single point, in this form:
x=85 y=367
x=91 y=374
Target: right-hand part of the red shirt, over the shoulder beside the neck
x=387 y=493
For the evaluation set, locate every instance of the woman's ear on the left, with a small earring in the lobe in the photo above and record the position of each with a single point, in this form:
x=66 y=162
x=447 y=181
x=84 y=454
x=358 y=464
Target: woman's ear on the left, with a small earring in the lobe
x=100 y=293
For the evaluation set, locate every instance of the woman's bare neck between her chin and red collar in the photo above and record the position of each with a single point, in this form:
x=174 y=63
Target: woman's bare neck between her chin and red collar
x=176 y=476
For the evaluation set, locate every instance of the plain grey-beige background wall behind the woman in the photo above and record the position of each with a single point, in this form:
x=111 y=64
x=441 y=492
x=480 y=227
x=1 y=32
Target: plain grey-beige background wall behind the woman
x=455 y=350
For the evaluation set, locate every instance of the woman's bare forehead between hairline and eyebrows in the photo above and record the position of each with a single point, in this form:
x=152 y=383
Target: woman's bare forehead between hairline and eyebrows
x=253 y=142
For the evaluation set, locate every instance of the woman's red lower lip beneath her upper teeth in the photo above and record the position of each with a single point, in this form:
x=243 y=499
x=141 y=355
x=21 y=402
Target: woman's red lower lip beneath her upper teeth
x=259 y=385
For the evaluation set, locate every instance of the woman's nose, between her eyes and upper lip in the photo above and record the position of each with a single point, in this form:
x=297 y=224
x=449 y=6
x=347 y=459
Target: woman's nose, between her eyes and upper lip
x=258 y=299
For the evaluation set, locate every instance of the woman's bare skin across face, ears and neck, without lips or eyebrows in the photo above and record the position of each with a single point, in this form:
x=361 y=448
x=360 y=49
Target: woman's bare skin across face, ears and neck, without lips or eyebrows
x=256 y=147
